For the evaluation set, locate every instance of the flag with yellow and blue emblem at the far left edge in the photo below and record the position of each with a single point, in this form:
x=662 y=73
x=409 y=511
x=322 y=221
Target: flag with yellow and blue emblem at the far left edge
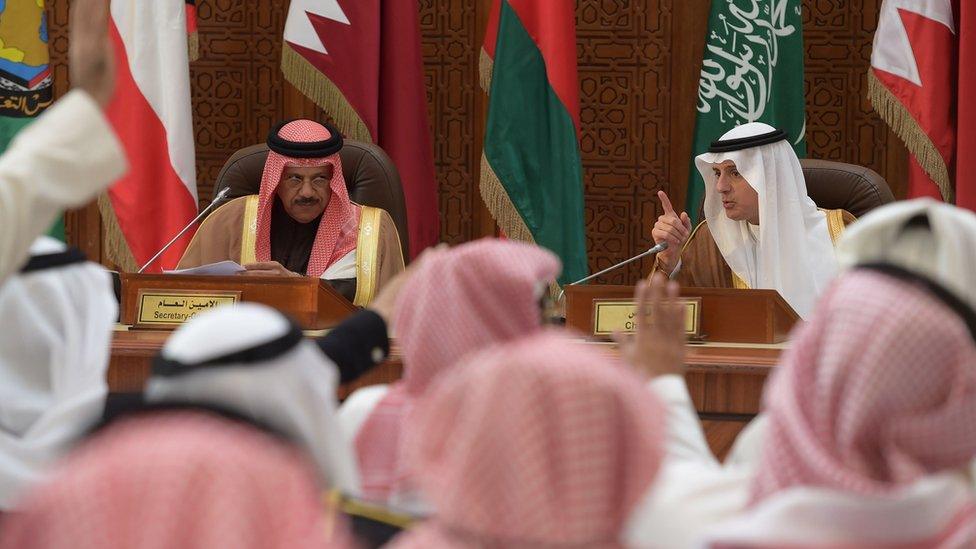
x=25 y=74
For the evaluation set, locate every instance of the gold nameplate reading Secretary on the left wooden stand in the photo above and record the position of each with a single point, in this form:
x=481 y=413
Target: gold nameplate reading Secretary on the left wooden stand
x=170 y=308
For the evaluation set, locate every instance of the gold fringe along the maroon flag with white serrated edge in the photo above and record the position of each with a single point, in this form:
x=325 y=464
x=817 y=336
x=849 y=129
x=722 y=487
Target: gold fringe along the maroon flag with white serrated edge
x=317 y=87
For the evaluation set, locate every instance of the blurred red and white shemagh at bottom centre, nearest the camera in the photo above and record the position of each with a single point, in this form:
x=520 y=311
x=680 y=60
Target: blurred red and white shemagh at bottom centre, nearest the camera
x=542 y=442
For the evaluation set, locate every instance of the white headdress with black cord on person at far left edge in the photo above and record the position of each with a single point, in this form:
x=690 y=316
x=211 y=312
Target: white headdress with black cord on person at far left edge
x=54 y=349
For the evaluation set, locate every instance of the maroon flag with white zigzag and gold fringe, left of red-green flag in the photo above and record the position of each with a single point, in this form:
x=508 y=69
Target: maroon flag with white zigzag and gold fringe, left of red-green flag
x=360 y=60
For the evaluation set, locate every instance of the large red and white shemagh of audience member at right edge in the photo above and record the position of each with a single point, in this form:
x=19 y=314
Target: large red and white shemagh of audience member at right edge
x=877 y=390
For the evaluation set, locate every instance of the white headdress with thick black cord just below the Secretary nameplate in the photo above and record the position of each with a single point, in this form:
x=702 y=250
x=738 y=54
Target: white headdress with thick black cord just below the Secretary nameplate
x=250 y=360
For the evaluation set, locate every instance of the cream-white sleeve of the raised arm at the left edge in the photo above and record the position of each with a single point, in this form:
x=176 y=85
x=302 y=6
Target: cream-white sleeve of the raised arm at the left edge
x=62 y=160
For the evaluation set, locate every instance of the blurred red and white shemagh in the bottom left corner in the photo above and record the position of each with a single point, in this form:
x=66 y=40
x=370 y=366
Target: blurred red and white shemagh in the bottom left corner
x=178 y=479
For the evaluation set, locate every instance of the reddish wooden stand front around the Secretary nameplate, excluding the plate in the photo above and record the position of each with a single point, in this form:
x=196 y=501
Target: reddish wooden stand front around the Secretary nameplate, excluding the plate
x=311 y=302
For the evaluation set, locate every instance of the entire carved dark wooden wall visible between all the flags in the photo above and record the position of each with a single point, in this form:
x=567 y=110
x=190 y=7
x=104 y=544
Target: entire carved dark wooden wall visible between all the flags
x=638 y=67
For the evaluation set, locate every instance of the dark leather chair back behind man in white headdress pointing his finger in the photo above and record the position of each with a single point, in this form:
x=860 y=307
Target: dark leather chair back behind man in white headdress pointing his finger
x=837 y=185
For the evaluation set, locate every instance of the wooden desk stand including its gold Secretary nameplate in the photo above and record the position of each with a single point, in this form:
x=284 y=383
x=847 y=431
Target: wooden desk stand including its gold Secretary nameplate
x=311 y=302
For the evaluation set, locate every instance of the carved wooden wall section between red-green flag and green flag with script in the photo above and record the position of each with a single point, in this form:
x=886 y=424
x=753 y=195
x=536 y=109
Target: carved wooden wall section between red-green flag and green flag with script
x=625 y=80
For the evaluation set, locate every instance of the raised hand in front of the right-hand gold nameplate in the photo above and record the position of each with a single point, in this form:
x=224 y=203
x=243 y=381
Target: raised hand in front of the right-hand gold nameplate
x=658 y=346
